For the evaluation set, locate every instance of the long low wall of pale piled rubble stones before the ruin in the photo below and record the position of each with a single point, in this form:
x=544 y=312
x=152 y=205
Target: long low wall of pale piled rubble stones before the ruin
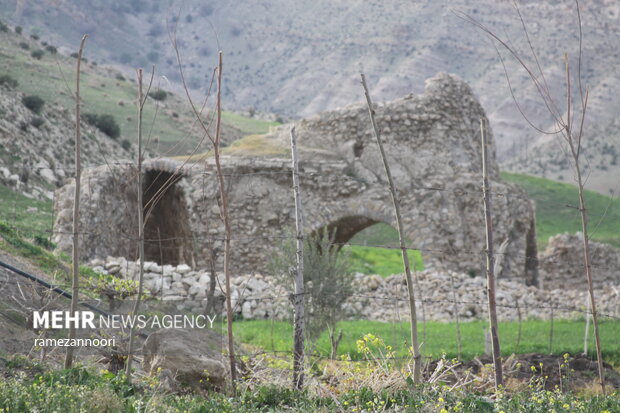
x=255 y=296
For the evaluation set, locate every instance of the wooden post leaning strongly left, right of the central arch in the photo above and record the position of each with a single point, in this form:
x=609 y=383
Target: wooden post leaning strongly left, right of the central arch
x=417 y=358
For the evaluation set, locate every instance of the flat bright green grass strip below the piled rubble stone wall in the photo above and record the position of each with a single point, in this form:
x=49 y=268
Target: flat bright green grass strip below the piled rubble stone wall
x=441 y=337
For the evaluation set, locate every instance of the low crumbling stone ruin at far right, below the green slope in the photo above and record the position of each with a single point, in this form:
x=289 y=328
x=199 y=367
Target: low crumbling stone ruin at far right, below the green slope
x=562 y=263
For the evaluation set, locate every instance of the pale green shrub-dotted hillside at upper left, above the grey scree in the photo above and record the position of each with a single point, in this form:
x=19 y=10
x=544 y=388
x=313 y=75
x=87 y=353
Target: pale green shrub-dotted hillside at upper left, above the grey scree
x=107 y=91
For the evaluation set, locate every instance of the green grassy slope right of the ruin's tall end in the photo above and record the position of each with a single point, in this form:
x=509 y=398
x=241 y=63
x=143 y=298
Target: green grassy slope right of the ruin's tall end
x=556 y=213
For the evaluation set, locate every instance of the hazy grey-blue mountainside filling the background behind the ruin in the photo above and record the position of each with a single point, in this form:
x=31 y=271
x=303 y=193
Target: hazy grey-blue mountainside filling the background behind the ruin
x=298 y=58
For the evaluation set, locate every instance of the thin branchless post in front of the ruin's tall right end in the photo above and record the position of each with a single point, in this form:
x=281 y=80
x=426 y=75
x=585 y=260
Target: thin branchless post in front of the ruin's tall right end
x=497 y=359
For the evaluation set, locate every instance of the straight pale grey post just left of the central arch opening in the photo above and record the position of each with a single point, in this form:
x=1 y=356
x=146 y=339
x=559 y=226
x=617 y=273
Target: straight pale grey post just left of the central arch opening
x=298 y=299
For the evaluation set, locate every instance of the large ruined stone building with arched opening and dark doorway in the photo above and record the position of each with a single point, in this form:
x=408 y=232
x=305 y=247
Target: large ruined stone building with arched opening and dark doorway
x=433 y=146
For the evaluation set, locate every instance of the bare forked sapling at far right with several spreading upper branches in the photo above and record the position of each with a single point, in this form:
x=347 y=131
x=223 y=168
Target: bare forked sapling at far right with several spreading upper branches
x=568 y=124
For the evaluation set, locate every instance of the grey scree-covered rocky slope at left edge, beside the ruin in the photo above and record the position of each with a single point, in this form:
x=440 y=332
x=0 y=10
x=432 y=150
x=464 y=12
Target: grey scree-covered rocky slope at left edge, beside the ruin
x=37 y=146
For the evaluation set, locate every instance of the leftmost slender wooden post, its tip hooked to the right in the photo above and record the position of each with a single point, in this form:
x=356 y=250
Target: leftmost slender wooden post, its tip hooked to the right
x=75 y=287
